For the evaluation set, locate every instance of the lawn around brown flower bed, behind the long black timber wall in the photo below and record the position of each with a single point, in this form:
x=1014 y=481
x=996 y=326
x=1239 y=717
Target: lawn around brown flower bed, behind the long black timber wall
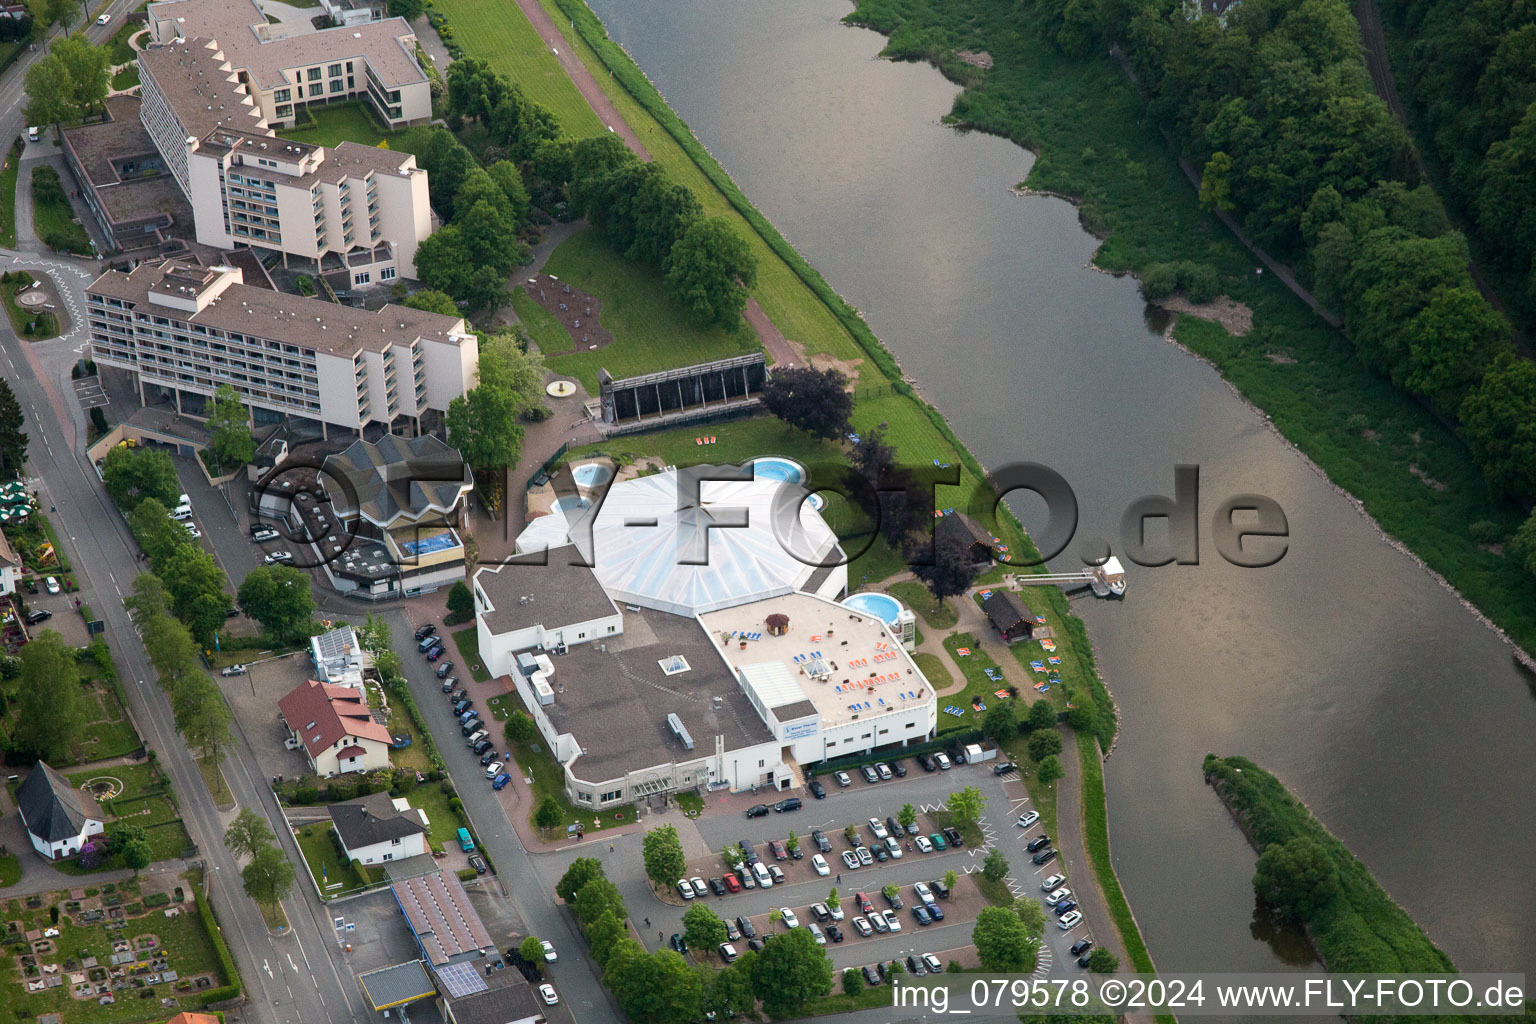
x=650 y=329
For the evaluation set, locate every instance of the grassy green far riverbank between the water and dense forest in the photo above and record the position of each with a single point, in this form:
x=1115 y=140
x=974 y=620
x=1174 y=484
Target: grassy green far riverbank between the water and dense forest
x=1096 y=144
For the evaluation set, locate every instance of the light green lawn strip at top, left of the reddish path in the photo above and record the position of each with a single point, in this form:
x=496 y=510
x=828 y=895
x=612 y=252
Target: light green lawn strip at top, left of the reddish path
x=500 y=35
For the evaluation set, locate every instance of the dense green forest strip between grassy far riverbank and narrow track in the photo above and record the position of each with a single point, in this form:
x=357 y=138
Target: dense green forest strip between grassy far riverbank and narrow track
x=1274 y=105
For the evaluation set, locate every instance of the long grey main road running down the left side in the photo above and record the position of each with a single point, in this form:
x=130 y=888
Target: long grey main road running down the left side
x=291 y=979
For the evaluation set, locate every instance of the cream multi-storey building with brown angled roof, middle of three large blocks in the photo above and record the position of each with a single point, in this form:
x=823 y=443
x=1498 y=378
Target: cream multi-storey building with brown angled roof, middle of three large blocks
x=354 y=206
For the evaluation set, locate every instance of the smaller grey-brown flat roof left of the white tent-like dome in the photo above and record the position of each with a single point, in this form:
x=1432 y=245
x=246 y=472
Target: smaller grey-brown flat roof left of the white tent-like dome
x=560 y=593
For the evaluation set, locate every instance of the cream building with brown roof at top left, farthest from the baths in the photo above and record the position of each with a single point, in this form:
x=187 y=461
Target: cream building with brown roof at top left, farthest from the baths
x=285 y=73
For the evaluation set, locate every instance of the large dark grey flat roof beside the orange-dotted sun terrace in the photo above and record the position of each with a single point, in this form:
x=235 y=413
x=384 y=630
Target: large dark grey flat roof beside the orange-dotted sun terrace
x=617 y=702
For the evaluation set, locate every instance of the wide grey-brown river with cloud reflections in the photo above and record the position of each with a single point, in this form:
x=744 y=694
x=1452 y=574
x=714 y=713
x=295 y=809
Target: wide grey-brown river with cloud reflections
x=1346 y=670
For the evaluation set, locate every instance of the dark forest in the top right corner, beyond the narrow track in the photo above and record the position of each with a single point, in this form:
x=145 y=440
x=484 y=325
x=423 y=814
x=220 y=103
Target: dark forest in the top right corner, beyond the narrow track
x=1471 y=70
